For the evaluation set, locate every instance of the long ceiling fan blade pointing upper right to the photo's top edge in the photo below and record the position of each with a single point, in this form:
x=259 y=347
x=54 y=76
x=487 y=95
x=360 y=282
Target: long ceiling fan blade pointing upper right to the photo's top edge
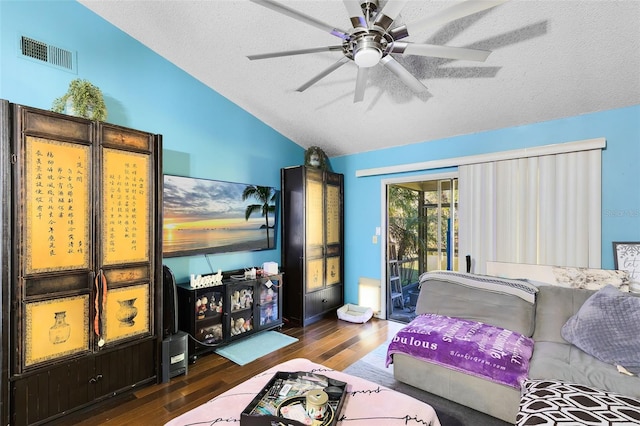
x=459 y=10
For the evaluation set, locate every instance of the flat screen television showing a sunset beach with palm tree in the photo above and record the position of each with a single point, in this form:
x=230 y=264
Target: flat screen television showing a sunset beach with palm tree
x=204 y=216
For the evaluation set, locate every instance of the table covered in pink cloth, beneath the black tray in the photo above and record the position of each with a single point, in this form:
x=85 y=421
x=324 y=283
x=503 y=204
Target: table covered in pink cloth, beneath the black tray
x=367 y=403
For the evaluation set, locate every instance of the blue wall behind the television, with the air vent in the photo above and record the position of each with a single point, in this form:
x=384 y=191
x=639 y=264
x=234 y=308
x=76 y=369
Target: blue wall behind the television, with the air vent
x=204 y=134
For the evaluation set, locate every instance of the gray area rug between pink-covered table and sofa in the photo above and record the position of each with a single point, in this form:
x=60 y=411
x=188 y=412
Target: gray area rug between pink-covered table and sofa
x=371 y=367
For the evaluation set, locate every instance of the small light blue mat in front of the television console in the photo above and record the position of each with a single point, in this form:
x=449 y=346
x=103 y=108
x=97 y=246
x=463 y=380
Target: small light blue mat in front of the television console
x=246 y=350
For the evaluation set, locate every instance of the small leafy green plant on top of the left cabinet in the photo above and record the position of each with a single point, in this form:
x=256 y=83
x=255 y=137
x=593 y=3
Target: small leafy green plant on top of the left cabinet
x=83 y=99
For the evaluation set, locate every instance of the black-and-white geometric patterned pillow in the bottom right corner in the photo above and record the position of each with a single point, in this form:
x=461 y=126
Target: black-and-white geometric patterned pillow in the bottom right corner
x=548 y=402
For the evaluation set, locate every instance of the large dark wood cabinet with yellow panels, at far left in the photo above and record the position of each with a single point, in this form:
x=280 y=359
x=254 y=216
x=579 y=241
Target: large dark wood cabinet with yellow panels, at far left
x=84 y=281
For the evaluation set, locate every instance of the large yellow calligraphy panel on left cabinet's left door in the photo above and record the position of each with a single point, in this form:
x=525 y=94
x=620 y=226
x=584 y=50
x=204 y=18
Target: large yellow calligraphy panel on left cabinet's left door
x=58 y=179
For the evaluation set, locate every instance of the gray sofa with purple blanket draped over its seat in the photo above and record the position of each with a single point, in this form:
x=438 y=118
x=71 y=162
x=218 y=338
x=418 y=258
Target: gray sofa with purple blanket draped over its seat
x=553 y=357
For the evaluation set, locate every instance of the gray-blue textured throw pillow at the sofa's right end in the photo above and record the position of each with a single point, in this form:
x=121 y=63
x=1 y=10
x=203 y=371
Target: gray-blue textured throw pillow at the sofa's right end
x=606 y=327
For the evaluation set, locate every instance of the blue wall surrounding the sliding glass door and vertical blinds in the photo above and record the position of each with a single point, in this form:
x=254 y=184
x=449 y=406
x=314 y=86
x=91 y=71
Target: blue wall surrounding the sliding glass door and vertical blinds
x=620 y=179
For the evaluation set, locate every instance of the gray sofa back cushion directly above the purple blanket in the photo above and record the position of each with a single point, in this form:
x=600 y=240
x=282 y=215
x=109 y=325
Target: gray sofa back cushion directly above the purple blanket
x=499 y=302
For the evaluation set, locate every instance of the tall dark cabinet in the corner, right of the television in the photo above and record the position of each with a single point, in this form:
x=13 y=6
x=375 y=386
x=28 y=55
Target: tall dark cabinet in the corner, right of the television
x=312 y=246
